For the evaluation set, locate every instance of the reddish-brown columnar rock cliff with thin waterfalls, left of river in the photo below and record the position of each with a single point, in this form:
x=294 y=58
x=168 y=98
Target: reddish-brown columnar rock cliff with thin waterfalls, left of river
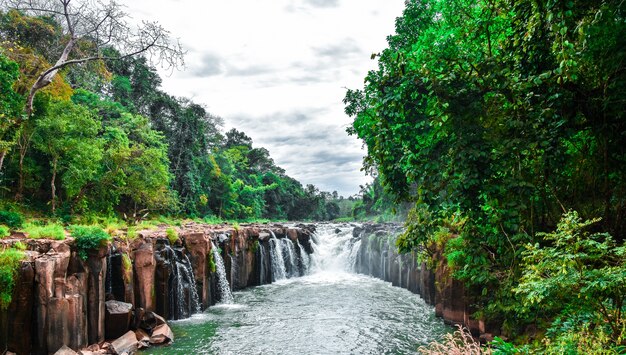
x=62 y=301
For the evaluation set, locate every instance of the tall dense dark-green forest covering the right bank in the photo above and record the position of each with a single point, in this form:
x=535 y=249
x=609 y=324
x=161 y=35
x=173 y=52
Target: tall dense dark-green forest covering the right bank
x=503 y=123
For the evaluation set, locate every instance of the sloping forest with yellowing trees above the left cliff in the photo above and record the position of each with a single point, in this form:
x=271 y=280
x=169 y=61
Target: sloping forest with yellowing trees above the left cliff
x=103 y=139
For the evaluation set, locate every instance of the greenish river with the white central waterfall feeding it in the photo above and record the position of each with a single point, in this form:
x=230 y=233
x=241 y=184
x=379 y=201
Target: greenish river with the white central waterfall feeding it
x=329 y=311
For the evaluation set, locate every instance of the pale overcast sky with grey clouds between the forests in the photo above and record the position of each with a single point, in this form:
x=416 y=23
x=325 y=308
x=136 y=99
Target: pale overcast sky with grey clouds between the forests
x=278 y=71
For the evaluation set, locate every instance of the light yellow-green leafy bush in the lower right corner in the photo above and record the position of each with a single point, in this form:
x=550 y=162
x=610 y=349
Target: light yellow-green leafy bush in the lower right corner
x=577 y=279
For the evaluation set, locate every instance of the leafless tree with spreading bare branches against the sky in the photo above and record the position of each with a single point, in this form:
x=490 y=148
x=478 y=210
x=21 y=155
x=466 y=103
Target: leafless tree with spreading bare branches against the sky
x=103 y=24
